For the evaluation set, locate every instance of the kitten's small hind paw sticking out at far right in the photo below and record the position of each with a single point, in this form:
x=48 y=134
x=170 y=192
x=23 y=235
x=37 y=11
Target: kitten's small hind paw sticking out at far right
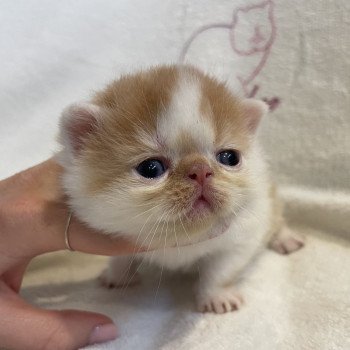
x=286 y=242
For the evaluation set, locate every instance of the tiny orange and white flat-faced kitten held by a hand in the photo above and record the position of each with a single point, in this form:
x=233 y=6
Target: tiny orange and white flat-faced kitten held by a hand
x=168 y=158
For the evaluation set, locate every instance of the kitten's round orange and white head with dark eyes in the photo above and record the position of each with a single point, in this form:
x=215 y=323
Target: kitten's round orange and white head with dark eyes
x=165 y=151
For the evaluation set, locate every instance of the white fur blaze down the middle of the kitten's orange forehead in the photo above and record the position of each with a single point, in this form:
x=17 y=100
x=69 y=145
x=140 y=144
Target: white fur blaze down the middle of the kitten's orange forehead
x=183 y=115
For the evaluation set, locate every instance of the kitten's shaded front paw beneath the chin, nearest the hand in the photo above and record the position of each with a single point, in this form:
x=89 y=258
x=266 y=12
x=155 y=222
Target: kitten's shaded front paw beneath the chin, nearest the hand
x=120 y=272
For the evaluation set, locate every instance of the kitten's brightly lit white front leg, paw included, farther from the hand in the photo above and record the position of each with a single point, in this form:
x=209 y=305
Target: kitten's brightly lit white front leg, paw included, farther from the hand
x=215 y=290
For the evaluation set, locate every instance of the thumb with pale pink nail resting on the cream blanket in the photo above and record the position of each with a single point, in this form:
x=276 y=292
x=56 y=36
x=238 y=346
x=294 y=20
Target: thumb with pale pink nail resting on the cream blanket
x=27 y=327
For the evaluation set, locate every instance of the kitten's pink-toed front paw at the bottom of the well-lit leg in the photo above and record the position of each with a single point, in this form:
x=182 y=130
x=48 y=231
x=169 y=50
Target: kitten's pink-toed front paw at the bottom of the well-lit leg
x=220 y=302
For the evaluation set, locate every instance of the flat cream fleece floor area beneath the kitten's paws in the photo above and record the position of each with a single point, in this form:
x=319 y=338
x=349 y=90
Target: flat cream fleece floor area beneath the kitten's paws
x=291 y=302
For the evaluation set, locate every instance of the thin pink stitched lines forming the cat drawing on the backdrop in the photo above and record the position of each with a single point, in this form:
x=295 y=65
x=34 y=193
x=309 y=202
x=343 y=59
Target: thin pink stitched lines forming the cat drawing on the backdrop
x=266 y=49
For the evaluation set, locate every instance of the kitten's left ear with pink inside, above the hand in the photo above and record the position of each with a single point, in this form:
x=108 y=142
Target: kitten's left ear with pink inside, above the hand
x=78 y=121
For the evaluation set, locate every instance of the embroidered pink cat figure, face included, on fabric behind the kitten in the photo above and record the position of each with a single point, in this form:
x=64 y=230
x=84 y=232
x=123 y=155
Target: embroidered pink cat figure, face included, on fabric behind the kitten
x=247 y=41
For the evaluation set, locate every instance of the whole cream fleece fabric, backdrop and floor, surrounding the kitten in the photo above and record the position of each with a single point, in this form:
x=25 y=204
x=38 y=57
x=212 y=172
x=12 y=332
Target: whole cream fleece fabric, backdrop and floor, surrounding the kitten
x=293 y=54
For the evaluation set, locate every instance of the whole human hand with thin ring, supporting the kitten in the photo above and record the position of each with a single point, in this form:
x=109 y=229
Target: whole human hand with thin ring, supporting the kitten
x=33 y=217
